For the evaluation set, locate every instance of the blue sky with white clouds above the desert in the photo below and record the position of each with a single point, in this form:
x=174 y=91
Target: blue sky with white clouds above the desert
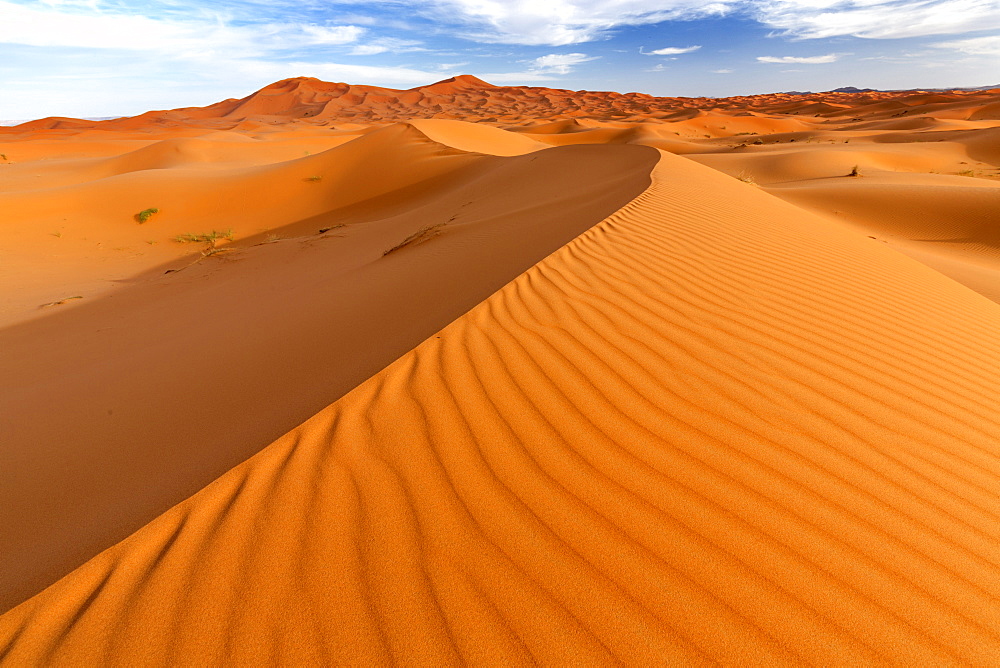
x=122 y=57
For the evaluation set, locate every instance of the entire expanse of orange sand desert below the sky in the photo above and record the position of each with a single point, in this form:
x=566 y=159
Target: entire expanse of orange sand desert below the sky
x=594 y=378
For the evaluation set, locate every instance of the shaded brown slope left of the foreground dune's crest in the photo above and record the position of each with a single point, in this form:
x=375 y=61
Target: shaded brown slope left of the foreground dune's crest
x=128 y=404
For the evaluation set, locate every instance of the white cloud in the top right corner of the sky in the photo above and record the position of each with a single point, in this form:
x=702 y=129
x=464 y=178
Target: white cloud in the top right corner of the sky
x=880 y=19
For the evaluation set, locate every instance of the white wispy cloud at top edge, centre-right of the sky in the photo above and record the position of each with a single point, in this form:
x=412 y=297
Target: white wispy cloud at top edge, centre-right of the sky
x=562 y=22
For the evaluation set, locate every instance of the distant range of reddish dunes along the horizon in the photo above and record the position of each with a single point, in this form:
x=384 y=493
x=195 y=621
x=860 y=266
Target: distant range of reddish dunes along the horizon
x=309 y=102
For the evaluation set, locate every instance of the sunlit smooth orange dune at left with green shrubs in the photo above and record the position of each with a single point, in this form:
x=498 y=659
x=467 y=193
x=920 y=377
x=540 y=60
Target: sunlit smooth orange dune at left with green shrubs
x=63 y=228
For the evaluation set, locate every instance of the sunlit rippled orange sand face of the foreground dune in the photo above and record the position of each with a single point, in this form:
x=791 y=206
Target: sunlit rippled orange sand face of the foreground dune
x=712 y=428
